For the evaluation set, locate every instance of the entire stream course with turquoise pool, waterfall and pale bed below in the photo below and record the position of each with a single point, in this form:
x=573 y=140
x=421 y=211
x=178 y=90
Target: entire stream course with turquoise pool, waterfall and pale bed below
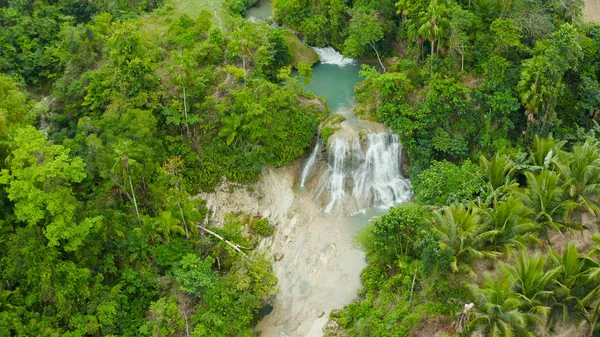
x=319 y=204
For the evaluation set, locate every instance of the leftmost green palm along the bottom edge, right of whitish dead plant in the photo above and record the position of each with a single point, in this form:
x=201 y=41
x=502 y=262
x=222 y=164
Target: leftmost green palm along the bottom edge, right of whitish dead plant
x=497 y=311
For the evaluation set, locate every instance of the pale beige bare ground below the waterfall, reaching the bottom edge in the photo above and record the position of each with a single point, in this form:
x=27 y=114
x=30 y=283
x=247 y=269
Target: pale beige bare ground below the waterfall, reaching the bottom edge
x=320 y=268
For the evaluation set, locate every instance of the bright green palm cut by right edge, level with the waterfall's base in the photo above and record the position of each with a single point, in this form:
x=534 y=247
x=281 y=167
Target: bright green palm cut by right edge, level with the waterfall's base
x=581 y=168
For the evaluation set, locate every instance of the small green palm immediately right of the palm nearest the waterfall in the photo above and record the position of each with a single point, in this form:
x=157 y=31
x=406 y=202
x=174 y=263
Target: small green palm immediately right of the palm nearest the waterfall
x=512 y=224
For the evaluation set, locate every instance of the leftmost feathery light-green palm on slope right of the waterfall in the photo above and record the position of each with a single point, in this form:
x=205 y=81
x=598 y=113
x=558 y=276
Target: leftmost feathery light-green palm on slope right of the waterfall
x=461 y=230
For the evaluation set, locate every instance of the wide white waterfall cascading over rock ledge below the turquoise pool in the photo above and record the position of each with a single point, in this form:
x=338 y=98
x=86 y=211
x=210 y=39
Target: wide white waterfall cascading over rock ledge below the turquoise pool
x=360 y=177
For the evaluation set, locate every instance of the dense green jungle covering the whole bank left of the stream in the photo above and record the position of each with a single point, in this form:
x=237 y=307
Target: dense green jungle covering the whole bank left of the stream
x=114 y=116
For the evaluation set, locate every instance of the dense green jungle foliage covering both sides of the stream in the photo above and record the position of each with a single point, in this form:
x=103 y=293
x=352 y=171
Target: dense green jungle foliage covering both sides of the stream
x=116 y=114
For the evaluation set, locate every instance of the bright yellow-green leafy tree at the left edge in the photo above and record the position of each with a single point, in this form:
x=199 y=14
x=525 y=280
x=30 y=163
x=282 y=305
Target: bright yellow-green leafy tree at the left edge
x=40 y=182
